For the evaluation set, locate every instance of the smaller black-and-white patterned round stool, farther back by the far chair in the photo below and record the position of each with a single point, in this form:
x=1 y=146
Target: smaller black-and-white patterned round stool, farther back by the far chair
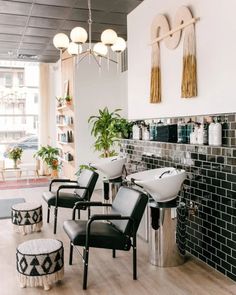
x=27 y=217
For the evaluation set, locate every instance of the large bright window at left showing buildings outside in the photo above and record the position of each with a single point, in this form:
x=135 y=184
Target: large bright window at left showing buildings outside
x=18 y=106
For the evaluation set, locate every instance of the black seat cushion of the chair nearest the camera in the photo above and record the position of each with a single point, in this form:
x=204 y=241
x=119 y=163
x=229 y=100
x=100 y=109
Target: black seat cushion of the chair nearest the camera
x=102 y=235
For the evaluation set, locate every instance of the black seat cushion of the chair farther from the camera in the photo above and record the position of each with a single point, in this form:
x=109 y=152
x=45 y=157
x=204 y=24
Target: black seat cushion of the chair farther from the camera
x=66 y=200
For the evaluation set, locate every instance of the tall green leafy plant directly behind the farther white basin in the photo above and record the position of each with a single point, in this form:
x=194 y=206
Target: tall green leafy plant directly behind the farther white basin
x=105 y=131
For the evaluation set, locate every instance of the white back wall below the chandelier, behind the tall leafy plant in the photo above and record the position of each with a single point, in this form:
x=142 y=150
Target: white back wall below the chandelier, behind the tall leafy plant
x=96 y=91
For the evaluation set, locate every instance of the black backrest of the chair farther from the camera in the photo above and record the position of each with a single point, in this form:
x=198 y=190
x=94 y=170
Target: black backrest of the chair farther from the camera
x=87 y=178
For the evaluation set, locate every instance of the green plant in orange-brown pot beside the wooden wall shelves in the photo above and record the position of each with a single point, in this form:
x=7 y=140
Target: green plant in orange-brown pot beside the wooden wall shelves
x=50 y=155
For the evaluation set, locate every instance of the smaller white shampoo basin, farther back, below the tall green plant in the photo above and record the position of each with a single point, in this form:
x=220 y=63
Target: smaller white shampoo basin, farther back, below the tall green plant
x=111 y=167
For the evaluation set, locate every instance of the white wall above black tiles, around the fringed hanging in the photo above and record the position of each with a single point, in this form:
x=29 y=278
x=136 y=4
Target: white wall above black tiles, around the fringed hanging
x=216 y=60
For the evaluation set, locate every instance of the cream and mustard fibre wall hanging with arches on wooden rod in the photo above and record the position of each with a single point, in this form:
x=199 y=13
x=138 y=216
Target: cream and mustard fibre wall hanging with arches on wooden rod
x=160 y=30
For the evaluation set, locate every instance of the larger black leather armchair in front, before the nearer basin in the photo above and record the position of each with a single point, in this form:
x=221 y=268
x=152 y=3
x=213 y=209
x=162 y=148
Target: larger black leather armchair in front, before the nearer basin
x=118 y=233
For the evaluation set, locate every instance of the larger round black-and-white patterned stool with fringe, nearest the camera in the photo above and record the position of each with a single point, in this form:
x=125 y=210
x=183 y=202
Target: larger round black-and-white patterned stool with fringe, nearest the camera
x=40 y=262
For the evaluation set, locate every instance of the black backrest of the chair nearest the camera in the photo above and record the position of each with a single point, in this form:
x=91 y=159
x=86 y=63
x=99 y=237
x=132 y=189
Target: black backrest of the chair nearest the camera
x=128 y=202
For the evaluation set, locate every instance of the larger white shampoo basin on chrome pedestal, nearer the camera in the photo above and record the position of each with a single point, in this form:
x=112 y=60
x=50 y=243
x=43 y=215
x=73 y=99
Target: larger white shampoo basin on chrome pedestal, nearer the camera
x=163 y=184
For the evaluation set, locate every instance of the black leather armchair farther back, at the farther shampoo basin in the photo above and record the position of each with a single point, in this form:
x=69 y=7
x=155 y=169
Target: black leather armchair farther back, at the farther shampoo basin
x=82 y=190
